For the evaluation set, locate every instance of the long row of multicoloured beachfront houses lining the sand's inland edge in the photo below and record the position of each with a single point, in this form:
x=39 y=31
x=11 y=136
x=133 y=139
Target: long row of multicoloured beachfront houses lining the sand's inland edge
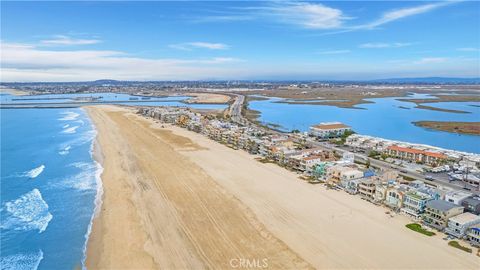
x=438 y=207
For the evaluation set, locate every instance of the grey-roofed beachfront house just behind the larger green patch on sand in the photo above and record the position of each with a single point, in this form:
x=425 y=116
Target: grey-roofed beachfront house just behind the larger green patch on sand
x=437 y=213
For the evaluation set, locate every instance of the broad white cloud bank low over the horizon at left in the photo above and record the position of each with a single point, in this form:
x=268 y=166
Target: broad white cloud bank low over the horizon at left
x=32 y=63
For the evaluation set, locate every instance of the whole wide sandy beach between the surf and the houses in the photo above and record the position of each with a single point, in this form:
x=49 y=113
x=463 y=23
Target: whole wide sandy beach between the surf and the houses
x=175 y=199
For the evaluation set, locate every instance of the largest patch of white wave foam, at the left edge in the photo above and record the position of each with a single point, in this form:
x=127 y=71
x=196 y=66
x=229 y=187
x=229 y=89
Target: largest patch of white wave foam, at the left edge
x=29 y=212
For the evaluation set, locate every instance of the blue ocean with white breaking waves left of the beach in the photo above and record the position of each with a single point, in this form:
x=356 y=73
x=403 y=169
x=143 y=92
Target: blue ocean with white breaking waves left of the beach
x=49 y=187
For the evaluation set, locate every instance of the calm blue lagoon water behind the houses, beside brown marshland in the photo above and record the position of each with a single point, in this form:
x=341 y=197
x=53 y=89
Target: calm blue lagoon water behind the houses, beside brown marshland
x=386 y=118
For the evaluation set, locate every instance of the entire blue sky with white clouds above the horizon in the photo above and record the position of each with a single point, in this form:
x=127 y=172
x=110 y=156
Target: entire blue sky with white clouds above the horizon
x=162 y=40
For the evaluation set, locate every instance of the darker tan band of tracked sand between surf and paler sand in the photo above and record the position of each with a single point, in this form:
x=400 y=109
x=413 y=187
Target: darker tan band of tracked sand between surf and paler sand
x=161 y=210
